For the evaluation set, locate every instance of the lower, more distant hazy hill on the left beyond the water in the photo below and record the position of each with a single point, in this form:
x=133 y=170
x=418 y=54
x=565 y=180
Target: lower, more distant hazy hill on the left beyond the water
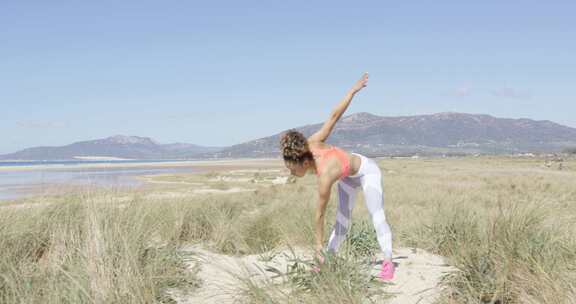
x=119 y=146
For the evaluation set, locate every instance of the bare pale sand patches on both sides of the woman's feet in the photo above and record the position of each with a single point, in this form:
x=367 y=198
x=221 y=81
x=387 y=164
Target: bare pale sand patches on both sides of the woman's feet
x=417 y=275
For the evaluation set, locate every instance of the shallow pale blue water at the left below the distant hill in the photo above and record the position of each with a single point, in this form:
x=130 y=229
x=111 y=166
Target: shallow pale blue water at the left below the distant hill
x=20 y=183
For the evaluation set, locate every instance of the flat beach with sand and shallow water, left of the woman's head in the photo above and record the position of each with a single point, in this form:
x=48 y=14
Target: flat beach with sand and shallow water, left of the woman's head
x=42 y=179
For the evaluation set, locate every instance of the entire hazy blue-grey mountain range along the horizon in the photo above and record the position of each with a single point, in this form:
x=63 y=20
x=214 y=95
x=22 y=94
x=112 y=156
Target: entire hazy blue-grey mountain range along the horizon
x=372 y=135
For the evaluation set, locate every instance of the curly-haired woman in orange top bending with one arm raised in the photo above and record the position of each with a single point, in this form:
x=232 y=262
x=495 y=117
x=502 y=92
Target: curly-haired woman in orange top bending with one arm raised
x=351 y=171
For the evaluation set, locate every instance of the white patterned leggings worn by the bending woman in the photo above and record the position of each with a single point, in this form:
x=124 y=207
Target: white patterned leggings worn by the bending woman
x=369 y=178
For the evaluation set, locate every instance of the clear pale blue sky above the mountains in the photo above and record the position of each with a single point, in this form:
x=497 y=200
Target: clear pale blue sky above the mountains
x=223 y=72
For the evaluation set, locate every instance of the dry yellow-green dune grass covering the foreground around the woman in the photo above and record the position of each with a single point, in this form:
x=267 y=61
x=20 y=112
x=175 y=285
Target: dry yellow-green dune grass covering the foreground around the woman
x=505 y=225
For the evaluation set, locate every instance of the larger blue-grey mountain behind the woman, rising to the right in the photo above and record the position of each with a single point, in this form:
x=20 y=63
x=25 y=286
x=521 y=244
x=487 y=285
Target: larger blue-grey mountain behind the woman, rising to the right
x=441 y=133
